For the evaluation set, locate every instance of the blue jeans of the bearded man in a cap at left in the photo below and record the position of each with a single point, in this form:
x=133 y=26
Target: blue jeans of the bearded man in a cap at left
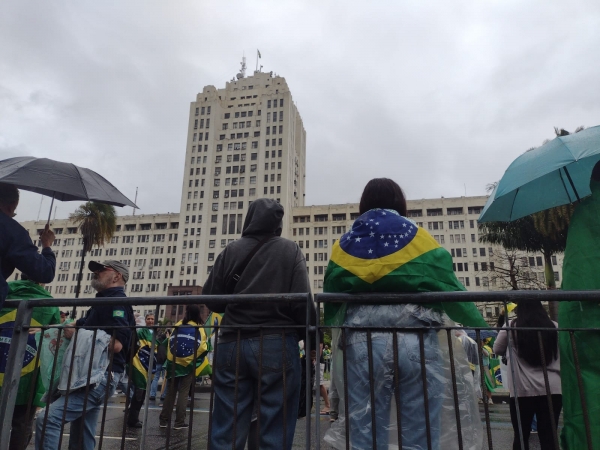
x=79 y=423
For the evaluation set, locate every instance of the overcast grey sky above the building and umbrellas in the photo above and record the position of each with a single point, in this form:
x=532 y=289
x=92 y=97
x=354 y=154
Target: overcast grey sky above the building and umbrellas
x=440 y=96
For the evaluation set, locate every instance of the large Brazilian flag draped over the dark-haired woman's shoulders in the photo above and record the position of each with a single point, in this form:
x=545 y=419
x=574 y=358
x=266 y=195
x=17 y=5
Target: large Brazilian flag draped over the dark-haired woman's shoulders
x=385 y=252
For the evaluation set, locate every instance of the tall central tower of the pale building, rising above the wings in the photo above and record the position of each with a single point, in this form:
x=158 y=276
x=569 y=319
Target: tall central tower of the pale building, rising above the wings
x=244 y=142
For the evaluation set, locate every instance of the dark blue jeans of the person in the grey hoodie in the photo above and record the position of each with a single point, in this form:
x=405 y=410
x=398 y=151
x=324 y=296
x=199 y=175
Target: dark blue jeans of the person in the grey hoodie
x=278 y=406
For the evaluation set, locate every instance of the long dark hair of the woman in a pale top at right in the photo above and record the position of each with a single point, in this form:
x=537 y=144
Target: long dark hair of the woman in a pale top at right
x=532 y=314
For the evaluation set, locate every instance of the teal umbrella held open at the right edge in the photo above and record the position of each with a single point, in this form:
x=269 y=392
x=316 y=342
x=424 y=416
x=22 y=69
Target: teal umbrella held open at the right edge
x=557 y=173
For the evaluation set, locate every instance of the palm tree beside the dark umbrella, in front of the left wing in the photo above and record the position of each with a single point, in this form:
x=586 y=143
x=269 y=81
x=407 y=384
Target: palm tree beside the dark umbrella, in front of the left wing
x=97 y=223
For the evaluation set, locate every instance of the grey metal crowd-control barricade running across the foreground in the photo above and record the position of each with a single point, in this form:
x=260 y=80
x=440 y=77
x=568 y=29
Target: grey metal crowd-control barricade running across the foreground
x=199 y=434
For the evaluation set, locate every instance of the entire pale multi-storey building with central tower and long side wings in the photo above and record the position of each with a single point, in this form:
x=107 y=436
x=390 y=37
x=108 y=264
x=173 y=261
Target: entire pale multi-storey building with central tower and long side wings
x=247 y=141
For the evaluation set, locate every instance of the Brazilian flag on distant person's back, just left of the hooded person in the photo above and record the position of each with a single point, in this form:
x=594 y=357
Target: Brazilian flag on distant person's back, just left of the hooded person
x=186 y=341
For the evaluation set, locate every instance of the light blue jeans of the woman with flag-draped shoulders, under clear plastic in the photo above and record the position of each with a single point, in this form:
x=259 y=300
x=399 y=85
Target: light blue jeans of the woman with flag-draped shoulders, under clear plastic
x=414 y=432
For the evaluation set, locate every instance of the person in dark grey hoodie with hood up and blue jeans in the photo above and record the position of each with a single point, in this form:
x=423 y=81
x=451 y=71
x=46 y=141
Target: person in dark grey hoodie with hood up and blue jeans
x=277 y=267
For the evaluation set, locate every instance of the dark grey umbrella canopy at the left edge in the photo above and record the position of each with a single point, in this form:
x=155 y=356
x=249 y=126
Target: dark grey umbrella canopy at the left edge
x=59 y=180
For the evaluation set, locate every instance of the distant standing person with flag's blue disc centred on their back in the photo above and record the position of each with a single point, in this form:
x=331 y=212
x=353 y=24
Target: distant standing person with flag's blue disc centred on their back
x=187 y=345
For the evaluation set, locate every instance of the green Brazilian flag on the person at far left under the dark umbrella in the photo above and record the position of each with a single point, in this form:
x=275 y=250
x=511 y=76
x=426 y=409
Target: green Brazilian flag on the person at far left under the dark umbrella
x=46 y=315
